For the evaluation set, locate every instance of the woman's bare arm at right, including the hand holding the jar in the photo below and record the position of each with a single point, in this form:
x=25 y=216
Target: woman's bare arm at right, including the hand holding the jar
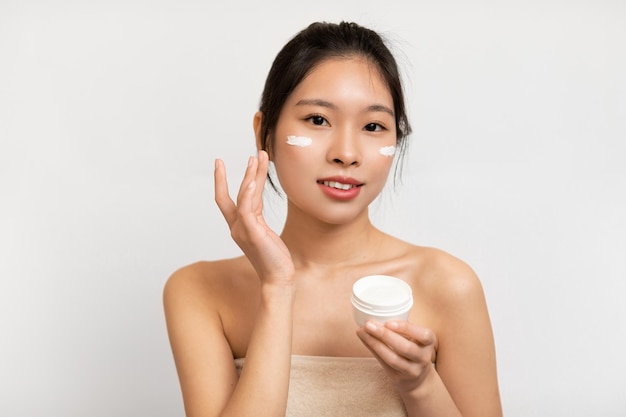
x=464 y=382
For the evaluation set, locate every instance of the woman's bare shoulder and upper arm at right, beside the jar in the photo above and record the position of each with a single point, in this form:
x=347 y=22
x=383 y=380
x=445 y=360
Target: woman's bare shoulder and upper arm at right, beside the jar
x=449 y=300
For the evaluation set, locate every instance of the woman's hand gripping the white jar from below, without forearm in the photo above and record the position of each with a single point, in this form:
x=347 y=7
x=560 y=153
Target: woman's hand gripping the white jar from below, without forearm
x=406 y=351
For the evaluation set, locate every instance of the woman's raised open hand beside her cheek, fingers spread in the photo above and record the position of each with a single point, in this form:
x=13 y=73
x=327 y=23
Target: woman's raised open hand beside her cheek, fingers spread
x=263 y=247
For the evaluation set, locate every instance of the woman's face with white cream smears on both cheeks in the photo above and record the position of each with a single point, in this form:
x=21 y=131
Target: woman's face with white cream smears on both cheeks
x=335 y=140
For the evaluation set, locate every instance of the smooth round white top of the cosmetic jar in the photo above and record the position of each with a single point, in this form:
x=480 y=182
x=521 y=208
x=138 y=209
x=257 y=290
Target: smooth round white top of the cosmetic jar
x=382 y=294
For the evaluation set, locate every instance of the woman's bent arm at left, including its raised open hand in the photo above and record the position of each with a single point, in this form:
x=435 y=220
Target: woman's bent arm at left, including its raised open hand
x=202 y=353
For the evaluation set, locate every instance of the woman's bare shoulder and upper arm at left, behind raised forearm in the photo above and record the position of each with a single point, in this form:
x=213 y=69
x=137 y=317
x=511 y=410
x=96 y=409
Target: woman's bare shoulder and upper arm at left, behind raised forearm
x=197 y=300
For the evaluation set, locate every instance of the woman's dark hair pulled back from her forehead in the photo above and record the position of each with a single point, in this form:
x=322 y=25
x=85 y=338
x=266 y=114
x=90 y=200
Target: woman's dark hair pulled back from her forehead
x=307 y=49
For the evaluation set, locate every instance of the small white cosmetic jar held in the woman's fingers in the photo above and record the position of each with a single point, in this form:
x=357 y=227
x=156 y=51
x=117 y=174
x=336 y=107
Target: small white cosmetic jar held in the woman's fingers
x=381 y=298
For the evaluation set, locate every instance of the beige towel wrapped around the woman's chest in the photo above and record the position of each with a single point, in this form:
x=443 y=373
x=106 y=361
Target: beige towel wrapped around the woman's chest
x=323 y=386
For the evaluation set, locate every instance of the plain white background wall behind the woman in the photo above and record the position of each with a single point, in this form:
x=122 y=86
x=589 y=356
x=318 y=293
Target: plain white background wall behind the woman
x=112 y=112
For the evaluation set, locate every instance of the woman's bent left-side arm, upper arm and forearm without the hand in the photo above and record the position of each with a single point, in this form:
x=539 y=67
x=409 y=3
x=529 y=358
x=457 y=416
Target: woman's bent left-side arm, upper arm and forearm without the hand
x=204 y=359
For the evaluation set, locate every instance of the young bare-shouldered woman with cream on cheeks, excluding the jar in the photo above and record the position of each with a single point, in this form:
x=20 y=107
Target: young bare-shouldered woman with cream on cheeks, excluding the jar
x=271 y=333
